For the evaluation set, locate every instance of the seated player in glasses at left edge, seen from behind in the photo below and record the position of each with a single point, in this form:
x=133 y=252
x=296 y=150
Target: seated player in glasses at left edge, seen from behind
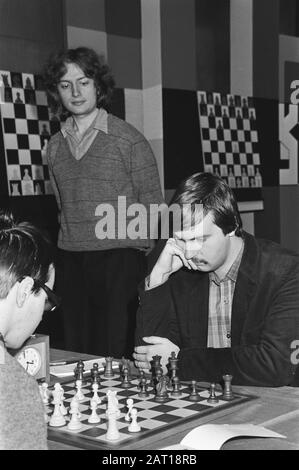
x=26 y=279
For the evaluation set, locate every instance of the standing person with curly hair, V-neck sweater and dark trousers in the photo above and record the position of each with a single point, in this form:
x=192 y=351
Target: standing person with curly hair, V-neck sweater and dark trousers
x=93 y=160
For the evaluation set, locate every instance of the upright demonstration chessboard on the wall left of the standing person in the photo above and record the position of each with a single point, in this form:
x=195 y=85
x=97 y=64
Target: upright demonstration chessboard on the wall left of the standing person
x=27 y=126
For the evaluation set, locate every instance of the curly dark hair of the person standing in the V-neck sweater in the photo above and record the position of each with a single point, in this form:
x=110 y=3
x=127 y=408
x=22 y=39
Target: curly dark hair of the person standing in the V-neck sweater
x=91 y=64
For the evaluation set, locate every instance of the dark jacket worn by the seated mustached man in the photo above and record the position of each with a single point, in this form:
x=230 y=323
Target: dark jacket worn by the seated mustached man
x=264 y=322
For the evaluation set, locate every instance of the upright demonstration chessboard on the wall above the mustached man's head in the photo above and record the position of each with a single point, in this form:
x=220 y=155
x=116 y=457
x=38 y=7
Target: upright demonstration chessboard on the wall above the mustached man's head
x=229 y=138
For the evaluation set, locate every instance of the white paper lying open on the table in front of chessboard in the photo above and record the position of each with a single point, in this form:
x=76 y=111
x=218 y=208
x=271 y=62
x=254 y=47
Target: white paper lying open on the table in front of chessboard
x=213 y=436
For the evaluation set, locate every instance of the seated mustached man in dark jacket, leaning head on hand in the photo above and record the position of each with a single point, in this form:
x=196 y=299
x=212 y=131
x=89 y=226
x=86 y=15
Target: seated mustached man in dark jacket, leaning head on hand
x=225 y=301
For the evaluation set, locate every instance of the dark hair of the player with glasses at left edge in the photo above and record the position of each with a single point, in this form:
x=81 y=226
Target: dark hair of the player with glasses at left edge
x=24 y=251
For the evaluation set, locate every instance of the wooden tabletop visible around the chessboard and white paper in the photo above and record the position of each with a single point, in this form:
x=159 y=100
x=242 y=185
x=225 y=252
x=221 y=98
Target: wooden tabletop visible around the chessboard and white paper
x=275 y=408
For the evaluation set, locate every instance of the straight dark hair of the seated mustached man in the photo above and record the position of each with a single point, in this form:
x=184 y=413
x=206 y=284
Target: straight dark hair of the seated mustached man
x=215 y=196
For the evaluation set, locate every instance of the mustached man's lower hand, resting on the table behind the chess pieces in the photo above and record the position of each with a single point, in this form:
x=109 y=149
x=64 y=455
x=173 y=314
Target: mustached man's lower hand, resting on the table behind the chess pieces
x=157 y=346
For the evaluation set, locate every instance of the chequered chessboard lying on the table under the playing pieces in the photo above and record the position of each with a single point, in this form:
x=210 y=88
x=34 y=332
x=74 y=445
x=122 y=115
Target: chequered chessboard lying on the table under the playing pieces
x=153 y=417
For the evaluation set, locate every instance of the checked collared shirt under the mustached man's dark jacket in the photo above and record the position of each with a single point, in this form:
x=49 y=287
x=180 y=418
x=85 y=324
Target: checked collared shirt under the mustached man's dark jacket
x=221 y=295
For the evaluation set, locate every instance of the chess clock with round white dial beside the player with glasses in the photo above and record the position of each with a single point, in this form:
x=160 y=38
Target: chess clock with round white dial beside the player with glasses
x=34 y=357
